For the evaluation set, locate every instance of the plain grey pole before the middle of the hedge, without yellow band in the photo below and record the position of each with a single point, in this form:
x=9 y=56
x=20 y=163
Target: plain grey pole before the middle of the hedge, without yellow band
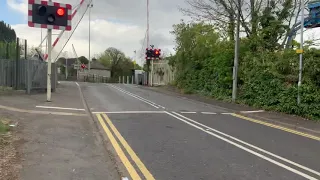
x=236 y=56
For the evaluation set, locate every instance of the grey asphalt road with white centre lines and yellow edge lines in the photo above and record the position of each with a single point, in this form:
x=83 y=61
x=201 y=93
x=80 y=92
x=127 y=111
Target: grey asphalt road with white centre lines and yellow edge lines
x=158 y=136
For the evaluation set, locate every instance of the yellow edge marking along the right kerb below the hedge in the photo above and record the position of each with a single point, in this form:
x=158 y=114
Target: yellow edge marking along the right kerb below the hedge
x=277 y=127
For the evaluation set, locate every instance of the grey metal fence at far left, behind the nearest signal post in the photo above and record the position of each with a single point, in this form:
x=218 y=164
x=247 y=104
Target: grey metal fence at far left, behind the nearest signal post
x=20 y=73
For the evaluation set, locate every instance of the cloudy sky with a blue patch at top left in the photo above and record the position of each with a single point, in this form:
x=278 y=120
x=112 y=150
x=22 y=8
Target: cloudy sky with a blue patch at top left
x=114 y=23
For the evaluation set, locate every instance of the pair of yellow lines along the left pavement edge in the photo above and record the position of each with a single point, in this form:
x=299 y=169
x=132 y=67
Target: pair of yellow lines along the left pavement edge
x=132 y=171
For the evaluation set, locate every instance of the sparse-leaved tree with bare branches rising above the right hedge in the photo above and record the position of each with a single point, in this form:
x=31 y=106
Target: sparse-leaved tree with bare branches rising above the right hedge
x=263 y=21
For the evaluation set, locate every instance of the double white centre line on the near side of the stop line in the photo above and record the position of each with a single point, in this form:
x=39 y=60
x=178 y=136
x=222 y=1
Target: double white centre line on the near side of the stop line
x=209 y=130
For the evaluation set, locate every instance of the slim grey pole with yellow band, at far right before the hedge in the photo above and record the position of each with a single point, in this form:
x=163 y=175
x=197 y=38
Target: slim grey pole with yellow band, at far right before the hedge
x=301 y=53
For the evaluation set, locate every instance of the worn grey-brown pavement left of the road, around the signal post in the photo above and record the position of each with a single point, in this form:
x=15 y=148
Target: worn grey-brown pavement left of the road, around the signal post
x=57 y=143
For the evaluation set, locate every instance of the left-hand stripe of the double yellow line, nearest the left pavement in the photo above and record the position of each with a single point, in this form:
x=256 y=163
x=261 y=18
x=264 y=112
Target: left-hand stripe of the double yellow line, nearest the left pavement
x=133 y=173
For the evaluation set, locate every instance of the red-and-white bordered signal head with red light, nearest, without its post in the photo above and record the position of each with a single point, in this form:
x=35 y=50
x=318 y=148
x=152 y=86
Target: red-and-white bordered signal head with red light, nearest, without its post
x=49 y=15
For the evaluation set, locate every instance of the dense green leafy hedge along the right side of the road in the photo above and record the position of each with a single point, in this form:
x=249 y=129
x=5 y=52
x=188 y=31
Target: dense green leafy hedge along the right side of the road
x=267 y=78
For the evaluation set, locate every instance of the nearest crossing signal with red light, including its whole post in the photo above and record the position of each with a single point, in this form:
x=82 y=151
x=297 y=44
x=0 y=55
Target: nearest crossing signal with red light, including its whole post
x=49 y=15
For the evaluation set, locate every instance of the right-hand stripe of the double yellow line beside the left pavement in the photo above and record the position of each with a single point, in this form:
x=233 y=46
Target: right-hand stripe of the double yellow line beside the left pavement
x=130 y=151
